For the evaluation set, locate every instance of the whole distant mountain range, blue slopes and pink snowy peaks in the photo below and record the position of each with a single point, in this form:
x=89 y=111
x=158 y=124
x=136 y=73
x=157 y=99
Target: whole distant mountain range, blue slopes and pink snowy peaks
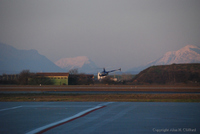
x=13 y=61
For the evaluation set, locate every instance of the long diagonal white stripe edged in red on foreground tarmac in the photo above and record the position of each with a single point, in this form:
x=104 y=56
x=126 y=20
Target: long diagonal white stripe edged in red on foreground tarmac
x=66 y=120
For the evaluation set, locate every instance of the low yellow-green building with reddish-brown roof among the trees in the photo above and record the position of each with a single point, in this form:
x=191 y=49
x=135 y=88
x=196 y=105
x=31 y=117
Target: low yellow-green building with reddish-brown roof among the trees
x=56 y=78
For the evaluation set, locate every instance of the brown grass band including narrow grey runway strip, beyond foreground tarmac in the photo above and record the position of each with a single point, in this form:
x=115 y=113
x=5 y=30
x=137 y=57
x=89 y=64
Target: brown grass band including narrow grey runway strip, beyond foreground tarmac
x=106 y=93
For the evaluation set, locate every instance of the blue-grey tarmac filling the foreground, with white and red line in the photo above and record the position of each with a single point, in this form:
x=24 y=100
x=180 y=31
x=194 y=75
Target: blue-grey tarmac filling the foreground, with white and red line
x=99 y=117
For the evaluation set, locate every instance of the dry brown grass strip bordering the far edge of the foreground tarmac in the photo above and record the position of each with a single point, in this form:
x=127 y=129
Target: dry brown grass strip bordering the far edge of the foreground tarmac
x=103 y=97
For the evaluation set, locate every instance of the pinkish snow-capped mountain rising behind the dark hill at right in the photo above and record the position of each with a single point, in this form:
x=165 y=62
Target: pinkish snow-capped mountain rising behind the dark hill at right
x=187 y=54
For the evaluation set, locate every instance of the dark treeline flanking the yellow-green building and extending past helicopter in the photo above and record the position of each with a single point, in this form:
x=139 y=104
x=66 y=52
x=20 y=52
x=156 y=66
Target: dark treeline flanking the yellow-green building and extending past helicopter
x=27 y=78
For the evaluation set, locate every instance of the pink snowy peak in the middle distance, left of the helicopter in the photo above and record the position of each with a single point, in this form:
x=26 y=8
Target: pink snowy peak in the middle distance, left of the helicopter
x=83 y=63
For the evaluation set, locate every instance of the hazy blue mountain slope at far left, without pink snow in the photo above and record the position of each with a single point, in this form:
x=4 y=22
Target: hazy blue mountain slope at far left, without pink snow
x=13 y=61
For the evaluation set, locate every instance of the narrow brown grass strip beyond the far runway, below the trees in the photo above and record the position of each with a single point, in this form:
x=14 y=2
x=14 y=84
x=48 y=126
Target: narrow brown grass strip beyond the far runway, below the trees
x=110 y=87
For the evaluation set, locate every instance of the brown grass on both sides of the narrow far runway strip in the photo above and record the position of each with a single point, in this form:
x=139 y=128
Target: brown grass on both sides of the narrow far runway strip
x=101 y=97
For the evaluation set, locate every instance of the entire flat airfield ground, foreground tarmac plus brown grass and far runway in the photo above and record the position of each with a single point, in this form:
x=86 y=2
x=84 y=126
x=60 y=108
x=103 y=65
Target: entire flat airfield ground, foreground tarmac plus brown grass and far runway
x=99 y=109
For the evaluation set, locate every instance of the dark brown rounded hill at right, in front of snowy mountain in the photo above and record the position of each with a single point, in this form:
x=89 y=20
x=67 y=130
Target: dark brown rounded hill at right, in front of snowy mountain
x=169 y=74
